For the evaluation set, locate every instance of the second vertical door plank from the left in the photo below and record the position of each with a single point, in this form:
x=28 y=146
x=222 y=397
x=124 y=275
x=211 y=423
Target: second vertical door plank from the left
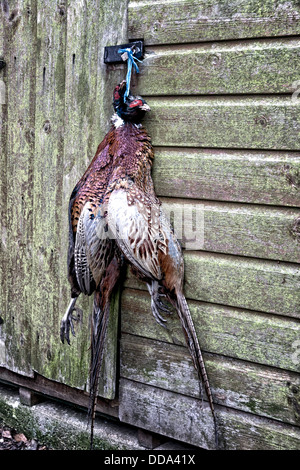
x=47 y=184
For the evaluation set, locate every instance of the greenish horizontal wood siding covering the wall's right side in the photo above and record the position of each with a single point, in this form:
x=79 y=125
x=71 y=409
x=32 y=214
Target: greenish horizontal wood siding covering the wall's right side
x=221 y=79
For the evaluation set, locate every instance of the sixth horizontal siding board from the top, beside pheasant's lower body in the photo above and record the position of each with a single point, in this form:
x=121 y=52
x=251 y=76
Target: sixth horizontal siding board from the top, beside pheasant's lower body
x=265 y=286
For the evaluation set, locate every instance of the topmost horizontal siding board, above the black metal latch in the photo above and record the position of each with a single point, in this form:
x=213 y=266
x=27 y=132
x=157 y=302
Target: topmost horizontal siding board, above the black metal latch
x=188 y=21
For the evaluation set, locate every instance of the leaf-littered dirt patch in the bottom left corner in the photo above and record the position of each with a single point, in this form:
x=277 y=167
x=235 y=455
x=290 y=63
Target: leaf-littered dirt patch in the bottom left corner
x=10 y=439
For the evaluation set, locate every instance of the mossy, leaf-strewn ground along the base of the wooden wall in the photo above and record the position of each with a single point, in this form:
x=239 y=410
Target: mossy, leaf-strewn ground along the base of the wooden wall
x=53 y=425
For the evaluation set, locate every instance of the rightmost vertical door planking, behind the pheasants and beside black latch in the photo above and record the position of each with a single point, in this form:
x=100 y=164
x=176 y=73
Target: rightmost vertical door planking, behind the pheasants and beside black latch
x=89 y=85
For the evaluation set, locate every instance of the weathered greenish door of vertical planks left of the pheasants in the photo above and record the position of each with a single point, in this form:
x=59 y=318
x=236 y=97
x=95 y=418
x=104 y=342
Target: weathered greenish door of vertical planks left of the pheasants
x=58 y=106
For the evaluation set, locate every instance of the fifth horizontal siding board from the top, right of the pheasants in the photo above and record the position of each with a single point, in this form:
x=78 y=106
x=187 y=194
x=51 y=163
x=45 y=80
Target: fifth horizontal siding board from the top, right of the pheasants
x=247 y=230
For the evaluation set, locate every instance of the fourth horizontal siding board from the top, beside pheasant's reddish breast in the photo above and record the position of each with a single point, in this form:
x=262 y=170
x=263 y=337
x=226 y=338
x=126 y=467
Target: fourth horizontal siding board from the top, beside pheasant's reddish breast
x=226 y=175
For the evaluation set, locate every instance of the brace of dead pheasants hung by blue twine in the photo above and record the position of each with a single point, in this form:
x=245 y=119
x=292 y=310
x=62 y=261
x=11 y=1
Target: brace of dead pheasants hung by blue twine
x=114 y=215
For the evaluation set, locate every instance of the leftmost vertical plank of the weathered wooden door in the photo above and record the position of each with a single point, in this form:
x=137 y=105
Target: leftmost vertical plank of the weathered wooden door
x=20 y=36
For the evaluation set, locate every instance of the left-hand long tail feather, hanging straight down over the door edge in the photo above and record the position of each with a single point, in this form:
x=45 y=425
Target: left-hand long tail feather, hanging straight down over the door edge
x=99 y=328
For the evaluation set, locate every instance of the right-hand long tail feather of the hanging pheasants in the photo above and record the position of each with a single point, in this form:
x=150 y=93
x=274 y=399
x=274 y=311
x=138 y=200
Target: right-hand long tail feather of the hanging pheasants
x=195 y=351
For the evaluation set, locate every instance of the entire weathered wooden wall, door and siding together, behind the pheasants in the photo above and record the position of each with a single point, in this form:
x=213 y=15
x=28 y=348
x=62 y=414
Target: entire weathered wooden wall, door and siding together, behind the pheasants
x=242 y=285
